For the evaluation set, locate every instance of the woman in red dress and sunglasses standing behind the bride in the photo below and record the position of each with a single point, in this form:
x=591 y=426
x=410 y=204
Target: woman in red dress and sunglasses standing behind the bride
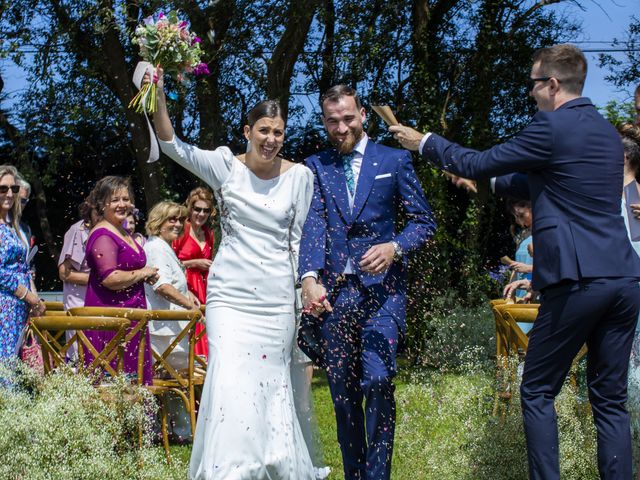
x=194 y=249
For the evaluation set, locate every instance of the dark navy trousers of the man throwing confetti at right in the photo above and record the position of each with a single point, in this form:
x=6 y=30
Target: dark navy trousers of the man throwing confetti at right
x=602 y=313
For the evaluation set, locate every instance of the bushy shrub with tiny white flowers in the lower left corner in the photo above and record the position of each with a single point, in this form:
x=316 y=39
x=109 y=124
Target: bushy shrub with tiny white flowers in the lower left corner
x=61 y=426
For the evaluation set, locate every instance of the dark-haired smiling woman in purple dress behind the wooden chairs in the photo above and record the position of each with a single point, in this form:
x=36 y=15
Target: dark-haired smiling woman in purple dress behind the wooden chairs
x=117 y=267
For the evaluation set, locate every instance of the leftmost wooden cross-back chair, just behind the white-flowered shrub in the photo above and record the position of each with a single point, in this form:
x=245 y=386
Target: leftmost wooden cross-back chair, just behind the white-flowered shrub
x=50 y=332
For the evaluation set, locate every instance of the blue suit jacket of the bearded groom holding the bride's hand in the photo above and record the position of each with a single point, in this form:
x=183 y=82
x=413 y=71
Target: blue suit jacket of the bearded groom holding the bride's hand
x=333 y=232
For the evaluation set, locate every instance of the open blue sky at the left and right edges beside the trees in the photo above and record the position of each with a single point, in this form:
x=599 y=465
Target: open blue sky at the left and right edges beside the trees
x=602 y=20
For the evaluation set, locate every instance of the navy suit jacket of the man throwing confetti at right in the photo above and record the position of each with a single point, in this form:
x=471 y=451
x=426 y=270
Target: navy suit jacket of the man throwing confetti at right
x=569 y=163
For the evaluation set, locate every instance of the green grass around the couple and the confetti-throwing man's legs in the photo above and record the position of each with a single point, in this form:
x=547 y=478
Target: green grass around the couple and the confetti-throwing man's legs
x=445 y=430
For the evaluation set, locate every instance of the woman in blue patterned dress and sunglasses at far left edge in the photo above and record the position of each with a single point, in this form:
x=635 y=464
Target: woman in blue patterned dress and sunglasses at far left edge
x=18 y=298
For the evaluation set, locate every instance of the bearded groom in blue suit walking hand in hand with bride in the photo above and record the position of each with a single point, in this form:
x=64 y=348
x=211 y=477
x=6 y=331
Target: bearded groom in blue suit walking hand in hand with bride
x=354 y=277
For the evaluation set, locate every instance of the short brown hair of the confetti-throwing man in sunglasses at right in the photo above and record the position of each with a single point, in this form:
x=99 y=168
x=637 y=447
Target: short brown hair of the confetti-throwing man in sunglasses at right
x=564 y=62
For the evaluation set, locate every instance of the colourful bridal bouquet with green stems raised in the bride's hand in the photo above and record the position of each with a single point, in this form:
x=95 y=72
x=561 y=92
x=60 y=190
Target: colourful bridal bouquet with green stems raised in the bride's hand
x=165 y=41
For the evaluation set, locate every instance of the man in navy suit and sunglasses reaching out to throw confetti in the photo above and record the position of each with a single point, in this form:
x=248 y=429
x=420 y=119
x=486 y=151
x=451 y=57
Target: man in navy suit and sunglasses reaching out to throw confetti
x=569 y=162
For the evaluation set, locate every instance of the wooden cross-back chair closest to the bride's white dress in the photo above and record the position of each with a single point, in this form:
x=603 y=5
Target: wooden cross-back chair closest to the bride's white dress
x=182 y=382
